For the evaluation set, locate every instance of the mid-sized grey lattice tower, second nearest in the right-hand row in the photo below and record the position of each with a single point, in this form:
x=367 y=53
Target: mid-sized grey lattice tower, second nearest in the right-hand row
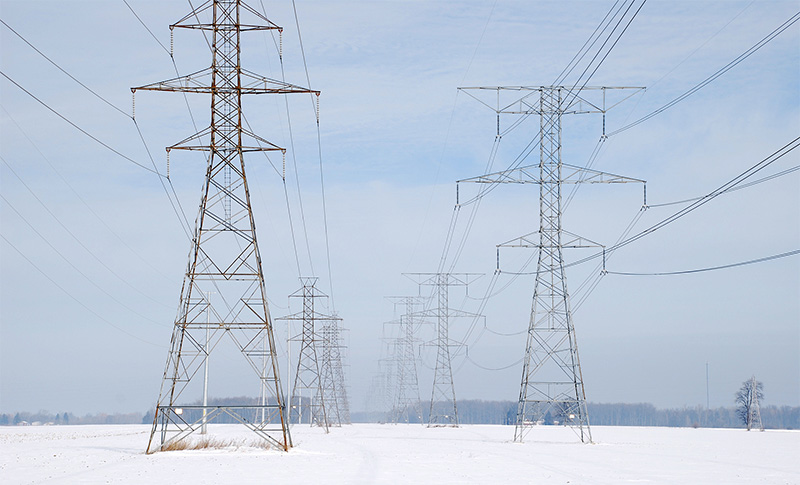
x=443 y=410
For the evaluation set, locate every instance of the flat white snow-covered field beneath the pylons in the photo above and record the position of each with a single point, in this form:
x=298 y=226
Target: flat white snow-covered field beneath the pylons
x=373 y=453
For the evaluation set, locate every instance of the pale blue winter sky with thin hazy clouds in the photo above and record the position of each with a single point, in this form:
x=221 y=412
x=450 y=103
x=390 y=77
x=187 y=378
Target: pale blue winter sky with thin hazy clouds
x=93 y=252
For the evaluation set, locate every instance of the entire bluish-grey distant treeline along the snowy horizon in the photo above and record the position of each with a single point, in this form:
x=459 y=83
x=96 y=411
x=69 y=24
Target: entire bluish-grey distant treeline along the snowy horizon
x=481 y=412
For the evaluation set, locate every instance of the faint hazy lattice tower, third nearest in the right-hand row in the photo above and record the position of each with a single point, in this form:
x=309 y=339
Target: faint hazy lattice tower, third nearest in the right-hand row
x=406 y=403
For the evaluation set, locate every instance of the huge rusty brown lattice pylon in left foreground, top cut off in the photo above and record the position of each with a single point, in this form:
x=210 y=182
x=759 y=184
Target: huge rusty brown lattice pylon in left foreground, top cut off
x=224 y=259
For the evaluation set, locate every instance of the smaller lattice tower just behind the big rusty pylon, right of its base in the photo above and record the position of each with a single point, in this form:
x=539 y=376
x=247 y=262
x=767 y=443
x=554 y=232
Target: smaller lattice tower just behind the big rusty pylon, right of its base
x=309 y=389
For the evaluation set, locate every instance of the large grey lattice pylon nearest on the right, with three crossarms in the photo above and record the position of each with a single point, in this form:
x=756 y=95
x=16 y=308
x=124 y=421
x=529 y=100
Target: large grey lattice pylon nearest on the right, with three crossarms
x=552 y=381
